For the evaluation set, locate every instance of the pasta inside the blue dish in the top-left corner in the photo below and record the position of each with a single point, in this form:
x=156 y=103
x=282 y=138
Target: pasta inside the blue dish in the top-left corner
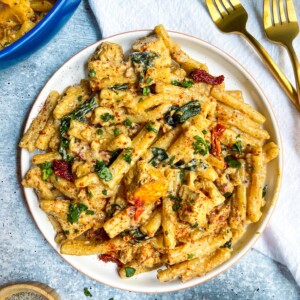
x=17 y=17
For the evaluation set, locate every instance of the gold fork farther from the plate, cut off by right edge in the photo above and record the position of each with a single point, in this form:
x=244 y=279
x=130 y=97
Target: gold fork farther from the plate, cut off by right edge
x=283 y=30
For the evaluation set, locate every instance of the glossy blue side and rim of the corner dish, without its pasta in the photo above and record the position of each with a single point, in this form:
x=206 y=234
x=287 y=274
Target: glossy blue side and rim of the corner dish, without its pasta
x=39 y=35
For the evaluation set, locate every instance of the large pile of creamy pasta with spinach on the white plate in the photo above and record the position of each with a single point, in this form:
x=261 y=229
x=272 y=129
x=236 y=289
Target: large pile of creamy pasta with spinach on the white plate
x=150 y=162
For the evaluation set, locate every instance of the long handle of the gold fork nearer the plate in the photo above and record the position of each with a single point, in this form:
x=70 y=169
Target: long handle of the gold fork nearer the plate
x=280 y=77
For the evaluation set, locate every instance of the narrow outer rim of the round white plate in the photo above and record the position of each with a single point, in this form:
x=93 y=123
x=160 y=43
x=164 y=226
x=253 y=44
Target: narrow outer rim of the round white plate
x=248 y=246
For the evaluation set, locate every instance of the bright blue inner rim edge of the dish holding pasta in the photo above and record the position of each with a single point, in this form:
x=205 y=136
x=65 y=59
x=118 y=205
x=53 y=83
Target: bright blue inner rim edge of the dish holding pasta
x=43 y=23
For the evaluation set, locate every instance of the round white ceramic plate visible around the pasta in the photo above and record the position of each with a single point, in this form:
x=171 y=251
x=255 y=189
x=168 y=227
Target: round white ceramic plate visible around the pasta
x=236 y=77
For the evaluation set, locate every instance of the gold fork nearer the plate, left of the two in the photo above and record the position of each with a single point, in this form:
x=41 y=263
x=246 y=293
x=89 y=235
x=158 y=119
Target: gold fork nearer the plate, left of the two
x=231 y=17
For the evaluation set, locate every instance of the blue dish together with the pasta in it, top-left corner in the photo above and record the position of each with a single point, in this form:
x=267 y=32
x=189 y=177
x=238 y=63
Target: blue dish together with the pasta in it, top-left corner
x=27 y=25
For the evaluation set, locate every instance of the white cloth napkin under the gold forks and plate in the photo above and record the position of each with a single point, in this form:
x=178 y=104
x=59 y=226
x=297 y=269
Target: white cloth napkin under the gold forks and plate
x=281 y=239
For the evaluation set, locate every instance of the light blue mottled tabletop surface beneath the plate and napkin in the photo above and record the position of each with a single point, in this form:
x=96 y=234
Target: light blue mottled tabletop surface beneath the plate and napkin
x=26 y=256
